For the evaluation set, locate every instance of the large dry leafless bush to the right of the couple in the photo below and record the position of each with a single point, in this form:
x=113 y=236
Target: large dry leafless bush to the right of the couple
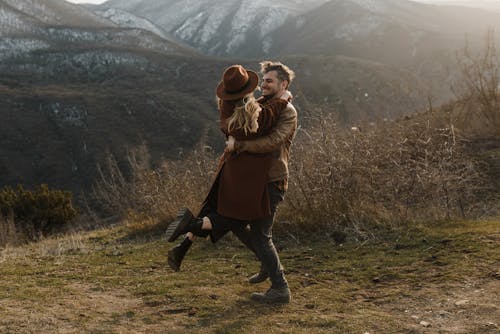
x=386 y=175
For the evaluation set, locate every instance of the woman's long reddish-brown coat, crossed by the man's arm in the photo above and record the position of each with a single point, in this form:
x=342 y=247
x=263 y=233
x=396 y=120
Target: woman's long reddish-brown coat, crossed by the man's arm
x=240 y=191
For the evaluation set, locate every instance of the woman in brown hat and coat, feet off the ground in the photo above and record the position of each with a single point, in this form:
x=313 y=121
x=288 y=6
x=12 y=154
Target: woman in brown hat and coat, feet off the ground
x=239 y=193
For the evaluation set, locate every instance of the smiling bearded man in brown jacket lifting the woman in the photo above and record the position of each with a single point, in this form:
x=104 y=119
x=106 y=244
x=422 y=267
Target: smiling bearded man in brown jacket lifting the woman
x=276 y=80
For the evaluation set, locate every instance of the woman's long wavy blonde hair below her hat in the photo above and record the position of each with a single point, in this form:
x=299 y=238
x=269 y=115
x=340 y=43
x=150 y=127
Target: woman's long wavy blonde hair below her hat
x=245 y=116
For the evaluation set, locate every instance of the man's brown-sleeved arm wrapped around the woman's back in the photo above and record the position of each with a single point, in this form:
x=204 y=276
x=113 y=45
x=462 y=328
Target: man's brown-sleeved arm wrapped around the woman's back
x=285 y=127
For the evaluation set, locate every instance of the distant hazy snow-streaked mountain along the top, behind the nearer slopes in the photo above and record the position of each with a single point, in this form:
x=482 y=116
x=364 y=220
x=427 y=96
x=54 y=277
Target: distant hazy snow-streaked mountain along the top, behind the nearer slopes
x=394 y=32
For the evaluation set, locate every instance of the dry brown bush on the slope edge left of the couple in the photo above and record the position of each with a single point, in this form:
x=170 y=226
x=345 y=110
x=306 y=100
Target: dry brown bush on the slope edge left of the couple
x=140 y=192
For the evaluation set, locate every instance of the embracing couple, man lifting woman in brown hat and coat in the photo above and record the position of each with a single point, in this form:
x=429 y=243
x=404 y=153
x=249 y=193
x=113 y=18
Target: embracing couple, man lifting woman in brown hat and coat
x=252 y=176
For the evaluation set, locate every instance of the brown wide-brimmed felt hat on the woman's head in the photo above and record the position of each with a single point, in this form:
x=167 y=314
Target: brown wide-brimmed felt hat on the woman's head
x=236 y=83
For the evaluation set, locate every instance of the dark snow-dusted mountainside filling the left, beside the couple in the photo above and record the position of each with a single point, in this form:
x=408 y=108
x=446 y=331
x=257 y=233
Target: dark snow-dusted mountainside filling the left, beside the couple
x=75 y=86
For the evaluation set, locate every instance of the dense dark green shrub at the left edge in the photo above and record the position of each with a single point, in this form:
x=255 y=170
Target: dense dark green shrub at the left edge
x=37 y=212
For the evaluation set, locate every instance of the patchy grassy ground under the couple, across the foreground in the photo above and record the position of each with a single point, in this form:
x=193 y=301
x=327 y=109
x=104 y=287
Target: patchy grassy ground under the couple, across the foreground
x=115 y=280
